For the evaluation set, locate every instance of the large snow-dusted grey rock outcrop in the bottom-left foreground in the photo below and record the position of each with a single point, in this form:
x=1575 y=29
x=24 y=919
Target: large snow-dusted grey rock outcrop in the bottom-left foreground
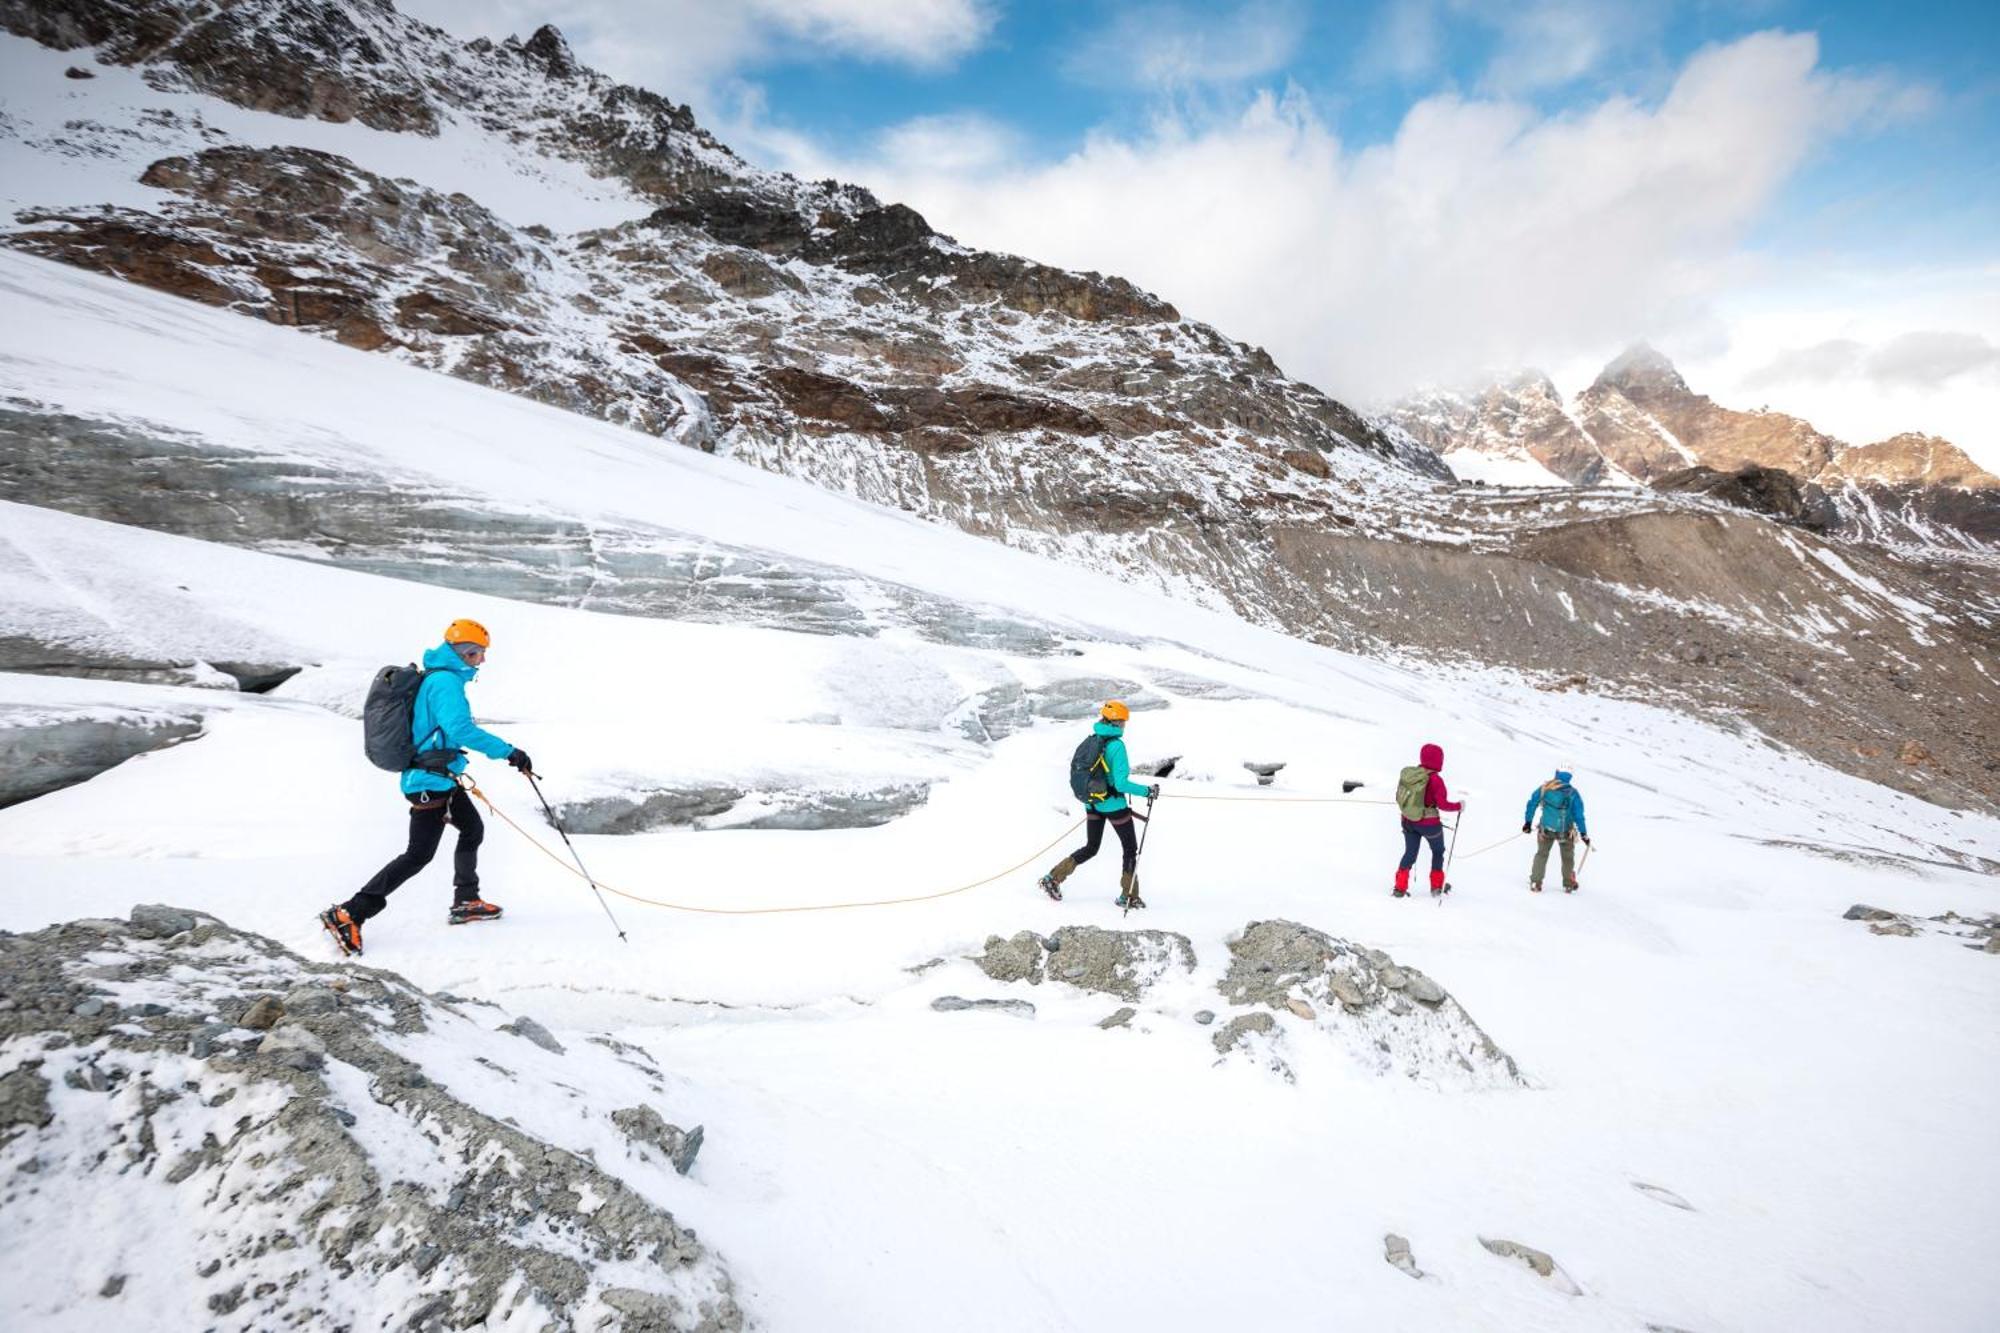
x=313 y=1160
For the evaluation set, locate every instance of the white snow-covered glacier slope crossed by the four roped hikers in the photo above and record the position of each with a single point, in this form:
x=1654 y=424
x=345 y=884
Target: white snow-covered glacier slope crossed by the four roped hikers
x=1697 y=1024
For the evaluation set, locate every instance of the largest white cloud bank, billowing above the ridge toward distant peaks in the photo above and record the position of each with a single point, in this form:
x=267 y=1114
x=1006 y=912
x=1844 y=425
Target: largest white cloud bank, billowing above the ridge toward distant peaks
x=1481 y=237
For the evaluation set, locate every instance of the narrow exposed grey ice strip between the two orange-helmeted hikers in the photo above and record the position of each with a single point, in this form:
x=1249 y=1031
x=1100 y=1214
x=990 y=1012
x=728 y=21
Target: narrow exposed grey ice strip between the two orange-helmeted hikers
x=735 y=808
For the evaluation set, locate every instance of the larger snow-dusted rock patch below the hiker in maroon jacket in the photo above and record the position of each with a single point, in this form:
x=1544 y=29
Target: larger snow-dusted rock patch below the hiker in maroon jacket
x=1387 y=1016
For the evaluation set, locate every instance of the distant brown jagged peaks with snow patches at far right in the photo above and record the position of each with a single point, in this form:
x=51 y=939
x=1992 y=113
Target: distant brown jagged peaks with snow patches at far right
x=1641 y=423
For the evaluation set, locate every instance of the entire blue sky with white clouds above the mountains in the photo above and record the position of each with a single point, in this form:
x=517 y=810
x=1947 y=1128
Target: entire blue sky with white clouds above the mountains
x=1417 y=191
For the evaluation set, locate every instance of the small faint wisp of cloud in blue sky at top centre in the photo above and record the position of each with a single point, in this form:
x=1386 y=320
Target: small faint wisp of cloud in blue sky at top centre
x=1169 y=47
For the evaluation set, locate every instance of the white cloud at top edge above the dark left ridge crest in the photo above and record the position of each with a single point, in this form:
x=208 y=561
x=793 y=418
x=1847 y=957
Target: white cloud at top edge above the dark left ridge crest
x=689 y=49
